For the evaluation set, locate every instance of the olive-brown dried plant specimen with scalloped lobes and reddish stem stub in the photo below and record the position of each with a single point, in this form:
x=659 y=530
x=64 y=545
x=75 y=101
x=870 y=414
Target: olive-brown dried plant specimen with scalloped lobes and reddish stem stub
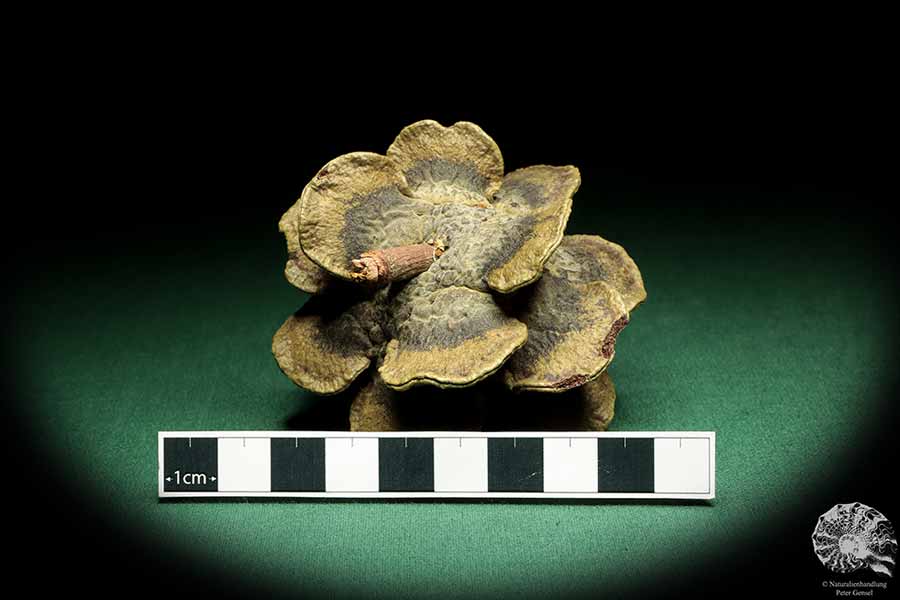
x=431 y=266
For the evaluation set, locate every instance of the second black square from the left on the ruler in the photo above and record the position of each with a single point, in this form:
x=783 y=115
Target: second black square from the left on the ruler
x=298 y=464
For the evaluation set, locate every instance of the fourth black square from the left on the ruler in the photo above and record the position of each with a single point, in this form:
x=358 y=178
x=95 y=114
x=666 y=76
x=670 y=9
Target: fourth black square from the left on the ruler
x=515 y=465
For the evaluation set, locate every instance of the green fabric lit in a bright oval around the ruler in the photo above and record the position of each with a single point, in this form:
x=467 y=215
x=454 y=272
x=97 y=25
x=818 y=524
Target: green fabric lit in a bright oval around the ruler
x=767 y=331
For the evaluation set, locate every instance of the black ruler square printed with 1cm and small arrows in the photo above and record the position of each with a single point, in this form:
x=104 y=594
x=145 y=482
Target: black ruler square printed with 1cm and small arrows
x=192 y=465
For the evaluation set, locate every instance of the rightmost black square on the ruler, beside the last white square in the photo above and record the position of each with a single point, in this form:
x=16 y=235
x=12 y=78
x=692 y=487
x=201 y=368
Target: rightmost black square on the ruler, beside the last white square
x=625 y=465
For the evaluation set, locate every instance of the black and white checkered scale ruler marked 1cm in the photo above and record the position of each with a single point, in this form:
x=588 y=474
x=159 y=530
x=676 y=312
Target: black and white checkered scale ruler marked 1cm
x=339 y=464
